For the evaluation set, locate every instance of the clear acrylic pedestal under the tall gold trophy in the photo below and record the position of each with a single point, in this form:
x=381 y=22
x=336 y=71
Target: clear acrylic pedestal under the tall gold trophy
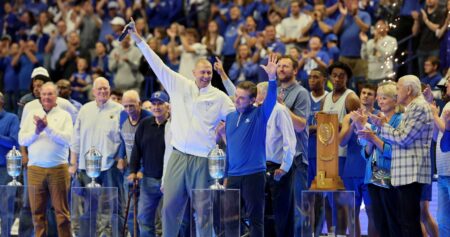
x=328 y=212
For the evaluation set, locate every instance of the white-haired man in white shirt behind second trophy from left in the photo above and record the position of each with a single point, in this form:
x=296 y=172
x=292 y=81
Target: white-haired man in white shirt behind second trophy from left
x=97 y=125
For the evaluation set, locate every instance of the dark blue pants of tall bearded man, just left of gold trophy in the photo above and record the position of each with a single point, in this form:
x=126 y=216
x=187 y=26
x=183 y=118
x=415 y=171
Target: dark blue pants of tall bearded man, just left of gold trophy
x=300 y=181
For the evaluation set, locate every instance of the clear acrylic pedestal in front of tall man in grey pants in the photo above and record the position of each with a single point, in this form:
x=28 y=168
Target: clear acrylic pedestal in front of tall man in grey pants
x=215 y=213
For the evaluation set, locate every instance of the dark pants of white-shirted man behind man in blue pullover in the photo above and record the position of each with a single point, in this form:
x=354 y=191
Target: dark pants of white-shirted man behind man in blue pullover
x=282 y=199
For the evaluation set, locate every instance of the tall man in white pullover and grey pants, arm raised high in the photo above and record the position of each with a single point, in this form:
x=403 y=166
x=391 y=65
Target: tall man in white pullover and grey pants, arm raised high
x=197 y=108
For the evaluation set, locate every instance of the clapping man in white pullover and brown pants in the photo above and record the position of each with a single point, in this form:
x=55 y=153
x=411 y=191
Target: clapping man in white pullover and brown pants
x=46 y=132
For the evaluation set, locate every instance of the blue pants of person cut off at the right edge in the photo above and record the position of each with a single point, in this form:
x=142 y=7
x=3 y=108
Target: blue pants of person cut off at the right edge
x=443 y=216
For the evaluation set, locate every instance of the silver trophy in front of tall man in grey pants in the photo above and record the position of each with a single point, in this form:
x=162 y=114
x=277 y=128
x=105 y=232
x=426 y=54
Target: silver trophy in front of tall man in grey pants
x=216 y=165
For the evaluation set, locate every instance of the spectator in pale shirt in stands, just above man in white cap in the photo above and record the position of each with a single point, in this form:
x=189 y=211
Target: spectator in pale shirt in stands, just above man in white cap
x=57 y=43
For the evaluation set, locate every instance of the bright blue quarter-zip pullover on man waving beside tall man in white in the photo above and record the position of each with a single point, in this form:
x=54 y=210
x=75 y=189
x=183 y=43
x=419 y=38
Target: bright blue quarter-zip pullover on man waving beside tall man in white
x=246 y=137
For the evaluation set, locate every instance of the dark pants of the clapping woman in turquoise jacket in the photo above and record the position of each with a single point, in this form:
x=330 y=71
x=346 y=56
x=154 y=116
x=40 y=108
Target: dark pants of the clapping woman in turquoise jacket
x=385 y=210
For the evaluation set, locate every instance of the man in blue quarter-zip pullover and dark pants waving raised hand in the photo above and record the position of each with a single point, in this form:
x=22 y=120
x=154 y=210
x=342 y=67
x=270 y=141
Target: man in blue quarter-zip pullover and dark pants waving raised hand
x=246 y=137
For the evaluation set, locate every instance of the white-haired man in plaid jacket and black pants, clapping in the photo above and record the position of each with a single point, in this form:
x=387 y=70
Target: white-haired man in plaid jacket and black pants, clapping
x=411 y=162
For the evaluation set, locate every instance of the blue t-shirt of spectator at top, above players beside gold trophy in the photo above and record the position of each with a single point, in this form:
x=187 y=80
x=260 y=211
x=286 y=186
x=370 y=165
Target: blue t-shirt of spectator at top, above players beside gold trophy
x=349 y=41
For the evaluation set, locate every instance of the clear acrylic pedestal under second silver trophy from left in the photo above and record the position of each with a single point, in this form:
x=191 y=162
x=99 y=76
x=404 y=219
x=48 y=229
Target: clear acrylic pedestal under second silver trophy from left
x=94 y=211
